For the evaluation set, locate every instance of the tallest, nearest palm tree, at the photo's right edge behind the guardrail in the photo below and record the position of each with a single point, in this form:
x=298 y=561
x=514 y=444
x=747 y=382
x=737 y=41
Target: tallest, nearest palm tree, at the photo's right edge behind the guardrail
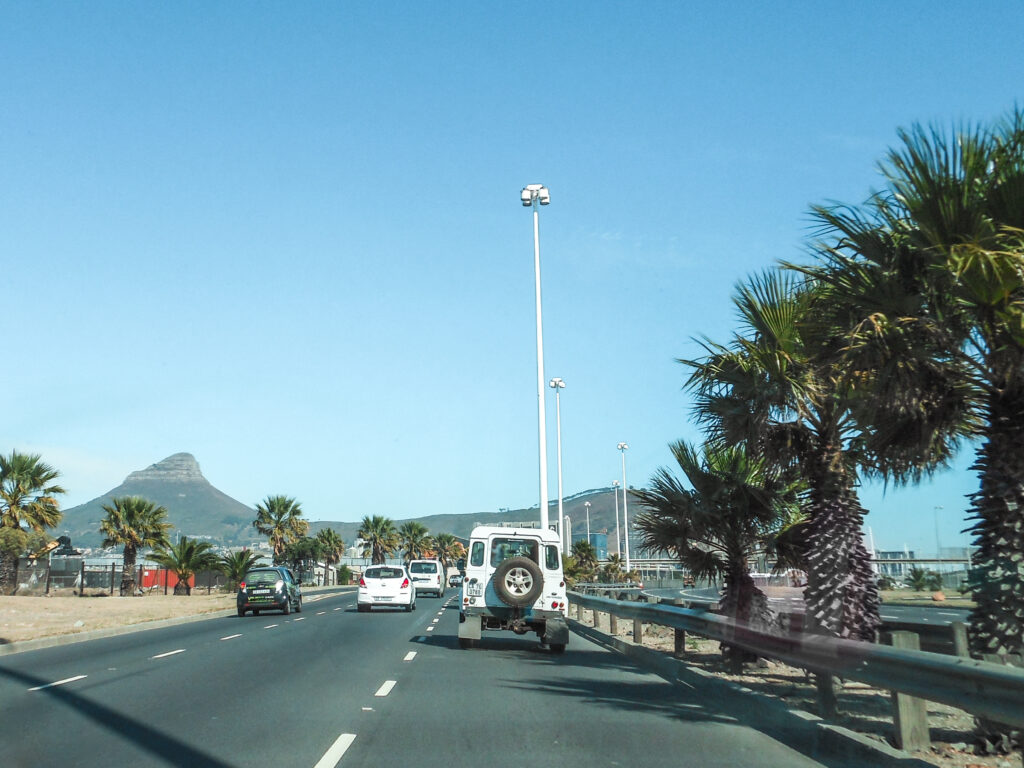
x=936 y=266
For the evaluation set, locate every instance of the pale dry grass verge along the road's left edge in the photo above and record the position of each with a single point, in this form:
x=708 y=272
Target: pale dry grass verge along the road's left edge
x=32 y=618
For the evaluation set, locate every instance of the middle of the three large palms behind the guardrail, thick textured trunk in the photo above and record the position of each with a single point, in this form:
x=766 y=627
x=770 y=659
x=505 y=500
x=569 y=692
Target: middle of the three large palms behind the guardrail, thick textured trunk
x=784 y=391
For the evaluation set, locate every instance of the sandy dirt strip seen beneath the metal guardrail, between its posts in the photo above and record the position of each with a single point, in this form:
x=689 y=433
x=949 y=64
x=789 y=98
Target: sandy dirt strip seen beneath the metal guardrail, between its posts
x=864 y=709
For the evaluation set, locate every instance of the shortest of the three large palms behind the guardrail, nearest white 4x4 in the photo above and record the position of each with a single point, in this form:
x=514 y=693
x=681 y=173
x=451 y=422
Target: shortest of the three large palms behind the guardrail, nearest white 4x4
x=716 y=528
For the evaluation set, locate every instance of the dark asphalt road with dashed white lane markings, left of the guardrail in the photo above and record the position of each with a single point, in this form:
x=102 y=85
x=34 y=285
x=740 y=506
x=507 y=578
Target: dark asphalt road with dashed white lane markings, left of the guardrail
x=332 y=687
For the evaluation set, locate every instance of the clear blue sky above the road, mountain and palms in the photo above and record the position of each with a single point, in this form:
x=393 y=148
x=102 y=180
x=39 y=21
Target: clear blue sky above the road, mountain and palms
x=288 y=240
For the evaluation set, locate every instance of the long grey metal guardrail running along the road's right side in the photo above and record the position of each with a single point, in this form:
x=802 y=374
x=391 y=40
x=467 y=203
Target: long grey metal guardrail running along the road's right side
x=986 y=690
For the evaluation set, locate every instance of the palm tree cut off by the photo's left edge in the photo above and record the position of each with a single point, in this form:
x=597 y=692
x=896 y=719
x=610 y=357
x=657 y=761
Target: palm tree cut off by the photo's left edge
x=28 y=501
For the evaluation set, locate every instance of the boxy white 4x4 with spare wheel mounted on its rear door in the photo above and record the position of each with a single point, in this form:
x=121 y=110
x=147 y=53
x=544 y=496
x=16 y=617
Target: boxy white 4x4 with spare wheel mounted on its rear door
x=515 y=582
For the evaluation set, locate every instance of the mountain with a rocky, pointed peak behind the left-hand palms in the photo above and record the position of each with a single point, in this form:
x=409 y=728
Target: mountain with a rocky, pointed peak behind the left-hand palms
x=195 y=507
